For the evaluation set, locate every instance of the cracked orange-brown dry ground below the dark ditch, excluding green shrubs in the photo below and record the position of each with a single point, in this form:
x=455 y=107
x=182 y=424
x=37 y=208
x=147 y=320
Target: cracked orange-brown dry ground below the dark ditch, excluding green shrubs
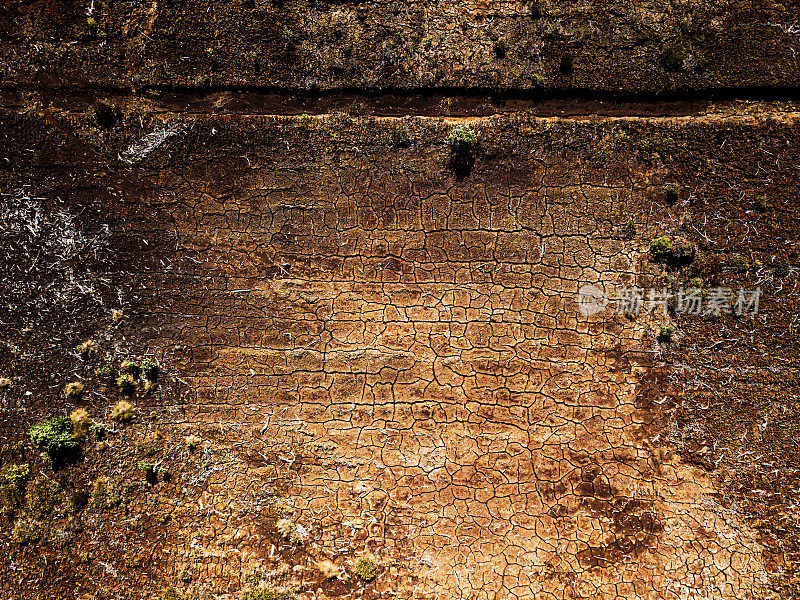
x=383 y=346
